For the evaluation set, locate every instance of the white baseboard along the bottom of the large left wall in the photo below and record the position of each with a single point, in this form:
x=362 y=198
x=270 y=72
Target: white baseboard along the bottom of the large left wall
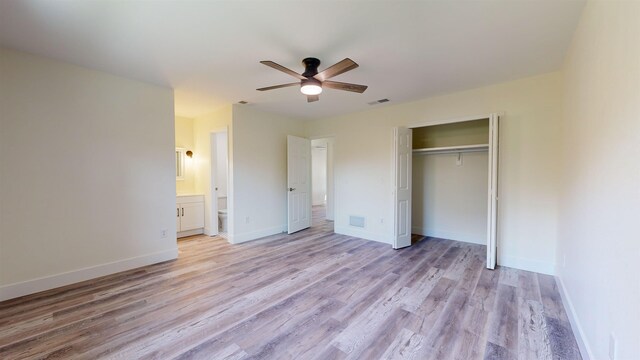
x=15 y=290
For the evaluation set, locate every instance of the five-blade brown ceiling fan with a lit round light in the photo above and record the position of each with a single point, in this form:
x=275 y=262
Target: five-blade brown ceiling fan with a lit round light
x=311 y=81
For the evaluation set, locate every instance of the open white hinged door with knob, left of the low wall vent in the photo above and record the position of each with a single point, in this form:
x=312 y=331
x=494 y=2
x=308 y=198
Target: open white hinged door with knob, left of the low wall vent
x=298 y=183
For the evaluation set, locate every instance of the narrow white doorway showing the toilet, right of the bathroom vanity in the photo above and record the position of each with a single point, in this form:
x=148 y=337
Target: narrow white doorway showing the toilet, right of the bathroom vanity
x=219 y=184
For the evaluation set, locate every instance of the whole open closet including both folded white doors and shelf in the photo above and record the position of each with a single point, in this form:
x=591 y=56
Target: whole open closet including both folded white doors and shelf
x=446 y=182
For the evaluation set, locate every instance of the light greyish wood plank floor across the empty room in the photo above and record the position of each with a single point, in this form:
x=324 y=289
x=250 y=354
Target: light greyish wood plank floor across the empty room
x=311 y=295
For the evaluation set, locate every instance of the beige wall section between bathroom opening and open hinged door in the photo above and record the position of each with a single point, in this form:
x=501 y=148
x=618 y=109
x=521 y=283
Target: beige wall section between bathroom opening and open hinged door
x=260 y=172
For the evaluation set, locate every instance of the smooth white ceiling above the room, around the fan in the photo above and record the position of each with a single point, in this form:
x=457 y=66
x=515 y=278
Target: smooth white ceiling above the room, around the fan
x=209 y=51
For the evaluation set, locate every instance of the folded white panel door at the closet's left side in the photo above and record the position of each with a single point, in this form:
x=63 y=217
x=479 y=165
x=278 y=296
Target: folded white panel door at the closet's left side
x=402 y=187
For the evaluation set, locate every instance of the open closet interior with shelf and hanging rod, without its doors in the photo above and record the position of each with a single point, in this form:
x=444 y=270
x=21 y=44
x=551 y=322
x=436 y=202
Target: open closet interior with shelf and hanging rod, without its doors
x=450 y=174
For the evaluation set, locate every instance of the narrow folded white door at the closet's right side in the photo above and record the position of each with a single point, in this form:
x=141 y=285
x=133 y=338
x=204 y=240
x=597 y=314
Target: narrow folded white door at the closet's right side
x=492 y=213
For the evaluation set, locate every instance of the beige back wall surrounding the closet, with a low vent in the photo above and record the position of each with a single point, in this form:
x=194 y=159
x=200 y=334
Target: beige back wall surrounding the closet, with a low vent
x=529 y=163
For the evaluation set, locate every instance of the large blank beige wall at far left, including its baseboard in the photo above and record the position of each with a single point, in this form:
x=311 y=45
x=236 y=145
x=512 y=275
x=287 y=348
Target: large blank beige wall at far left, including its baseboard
x=87 y=177
